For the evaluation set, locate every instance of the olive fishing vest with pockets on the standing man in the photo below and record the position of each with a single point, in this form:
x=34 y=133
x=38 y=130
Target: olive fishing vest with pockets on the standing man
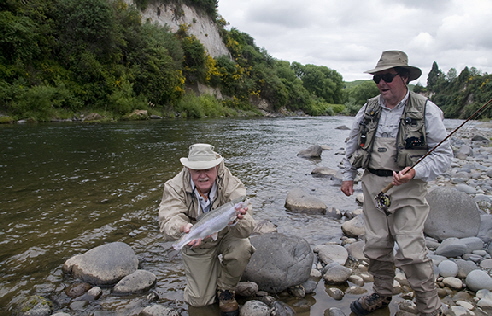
x=411 y=141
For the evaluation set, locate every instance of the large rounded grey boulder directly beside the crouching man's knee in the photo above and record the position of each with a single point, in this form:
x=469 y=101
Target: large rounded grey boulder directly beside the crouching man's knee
x=279 y=262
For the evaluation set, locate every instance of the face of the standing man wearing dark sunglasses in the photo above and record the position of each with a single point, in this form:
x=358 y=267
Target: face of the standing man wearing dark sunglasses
x=394 y=90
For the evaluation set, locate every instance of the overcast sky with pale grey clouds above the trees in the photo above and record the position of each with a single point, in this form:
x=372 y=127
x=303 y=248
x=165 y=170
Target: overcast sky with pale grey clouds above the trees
x=349 y=35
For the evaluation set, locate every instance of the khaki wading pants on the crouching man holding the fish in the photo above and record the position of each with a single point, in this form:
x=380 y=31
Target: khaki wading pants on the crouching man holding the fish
x=205 y=273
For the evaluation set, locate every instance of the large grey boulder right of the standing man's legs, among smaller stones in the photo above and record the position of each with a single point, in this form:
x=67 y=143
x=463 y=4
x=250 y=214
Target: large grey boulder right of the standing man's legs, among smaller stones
x=452 y=214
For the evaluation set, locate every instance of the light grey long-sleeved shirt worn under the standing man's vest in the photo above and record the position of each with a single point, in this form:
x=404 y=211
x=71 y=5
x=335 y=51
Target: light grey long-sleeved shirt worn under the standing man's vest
x=431 y=166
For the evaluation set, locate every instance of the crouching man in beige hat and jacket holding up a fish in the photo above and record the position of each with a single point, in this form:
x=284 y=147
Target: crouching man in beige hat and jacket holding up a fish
x=203 y=185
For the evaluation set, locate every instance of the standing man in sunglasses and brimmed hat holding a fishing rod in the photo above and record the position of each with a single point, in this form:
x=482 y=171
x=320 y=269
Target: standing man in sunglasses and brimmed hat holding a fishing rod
x=390 y=133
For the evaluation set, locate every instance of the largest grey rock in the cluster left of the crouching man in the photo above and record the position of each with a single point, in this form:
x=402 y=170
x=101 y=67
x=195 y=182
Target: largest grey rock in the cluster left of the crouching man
x=103 y=265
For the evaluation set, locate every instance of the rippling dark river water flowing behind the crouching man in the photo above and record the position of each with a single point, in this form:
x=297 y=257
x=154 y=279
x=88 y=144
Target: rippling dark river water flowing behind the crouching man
x=66 y=188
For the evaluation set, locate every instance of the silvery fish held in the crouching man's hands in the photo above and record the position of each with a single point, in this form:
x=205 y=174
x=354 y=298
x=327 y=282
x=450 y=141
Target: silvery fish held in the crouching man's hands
x=212 y=222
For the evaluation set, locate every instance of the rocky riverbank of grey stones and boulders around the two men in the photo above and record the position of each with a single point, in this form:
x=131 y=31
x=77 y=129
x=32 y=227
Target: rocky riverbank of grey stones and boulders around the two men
x=462 y=257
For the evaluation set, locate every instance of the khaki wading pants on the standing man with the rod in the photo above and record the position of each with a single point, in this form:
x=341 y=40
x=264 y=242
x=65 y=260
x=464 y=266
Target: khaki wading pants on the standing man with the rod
x=405 y=228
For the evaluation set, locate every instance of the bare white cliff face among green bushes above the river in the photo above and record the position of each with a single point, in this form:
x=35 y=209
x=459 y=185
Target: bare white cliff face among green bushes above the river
x=200 y=25
